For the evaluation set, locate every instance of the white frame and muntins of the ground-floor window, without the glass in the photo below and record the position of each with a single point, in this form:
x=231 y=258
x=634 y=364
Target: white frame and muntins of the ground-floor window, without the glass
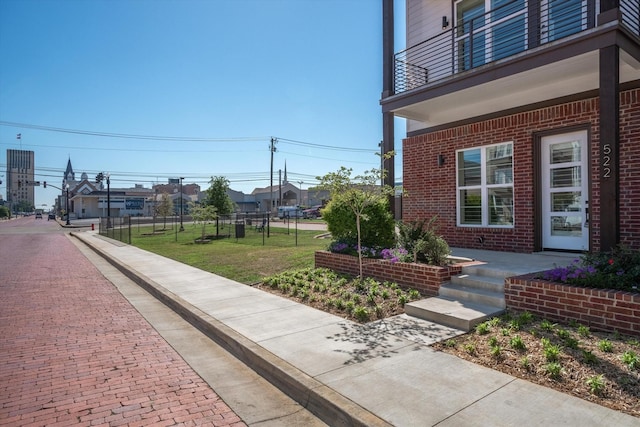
x=484 y=188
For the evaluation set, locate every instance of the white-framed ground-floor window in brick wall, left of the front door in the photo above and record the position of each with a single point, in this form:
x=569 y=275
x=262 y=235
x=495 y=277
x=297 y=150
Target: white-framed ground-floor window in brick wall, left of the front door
x=485 y=186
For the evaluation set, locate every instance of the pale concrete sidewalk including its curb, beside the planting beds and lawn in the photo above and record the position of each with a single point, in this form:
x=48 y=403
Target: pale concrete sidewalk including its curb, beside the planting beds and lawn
x=382 y=373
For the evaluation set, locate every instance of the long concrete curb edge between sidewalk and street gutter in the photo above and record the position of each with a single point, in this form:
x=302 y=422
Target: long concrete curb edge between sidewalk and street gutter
x=324 y=402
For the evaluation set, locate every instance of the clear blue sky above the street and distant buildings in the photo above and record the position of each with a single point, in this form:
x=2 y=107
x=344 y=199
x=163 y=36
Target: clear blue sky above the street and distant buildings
x=152 y=89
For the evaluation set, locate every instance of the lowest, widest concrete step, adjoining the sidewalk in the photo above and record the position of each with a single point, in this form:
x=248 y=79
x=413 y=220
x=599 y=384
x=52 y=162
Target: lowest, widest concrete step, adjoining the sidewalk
x=464 y=315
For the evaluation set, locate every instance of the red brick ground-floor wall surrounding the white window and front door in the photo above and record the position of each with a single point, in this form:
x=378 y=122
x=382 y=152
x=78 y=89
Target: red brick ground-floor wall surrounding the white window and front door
x=431 y=190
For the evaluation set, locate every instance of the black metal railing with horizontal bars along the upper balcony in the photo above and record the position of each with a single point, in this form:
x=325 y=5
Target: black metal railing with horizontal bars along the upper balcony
x=498 y=34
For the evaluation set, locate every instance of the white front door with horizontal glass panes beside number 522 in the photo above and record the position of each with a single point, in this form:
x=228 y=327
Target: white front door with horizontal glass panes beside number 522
x=565 y=222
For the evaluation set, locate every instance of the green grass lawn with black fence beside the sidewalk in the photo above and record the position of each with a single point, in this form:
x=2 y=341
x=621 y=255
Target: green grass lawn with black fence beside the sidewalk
x=246 y=260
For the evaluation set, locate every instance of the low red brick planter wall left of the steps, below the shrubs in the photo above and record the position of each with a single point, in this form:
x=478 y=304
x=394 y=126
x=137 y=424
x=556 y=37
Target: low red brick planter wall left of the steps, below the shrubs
x=422 y=277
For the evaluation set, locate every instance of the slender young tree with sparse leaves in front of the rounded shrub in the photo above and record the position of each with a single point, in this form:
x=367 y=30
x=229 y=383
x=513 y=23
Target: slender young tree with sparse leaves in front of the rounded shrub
x=358 y=193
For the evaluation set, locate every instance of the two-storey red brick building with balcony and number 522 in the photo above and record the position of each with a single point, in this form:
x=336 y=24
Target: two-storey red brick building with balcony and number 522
x=523 y=129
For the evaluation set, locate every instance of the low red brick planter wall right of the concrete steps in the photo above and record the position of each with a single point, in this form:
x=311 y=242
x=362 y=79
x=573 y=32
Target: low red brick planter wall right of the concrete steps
x=600 y=309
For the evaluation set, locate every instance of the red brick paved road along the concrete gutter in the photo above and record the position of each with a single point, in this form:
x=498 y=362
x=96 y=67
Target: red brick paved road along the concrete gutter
x=74 y=352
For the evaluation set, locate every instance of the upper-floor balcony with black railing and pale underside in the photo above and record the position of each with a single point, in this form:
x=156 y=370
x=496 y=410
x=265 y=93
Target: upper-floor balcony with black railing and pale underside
x=520 y=53
